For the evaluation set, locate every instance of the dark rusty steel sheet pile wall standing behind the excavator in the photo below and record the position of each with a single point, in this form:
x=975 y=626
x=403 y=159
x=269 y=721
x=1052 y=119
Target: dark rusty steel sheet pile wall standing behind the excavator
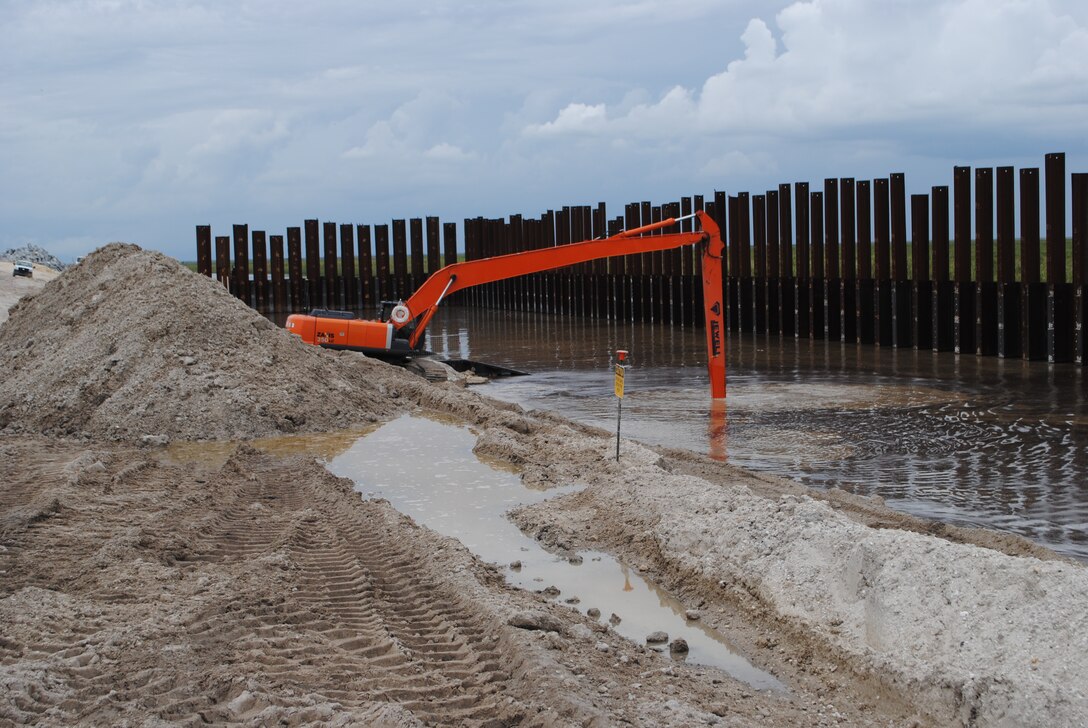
x=834 y=264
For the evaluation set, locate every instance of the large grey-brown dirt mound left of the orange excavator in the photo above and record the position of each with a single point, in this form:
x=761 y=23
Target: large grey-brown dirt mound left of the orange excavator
x=130 y=344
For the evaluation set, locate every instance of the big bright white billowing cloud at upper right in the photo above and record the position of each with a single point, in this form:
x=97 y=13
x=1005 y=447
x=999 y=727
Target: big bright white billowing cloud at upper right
x=855 y=67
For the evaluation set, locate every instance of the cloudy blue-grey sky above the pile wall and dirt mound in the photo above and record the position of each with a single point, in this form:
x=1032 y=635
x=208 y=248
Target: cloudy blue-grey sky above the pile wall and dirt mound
x=139 y=120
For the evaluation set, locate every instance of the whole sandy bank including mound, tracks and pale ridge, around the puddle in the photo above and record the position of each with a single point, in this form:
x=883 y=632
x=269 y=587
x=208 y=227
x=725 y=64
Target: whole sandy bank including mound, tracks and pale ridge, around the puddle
x=135 y=586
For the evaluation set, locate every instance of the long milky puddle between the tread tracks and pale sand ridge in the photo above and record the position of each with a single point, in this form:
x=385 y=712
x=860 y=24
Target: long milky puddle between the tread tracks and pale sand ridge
x=454 y=493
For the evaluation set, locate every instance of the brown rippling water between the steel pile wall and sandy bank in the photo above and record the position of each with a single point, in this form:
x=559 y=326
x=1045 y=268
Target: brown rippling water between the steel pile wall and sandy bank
x=969 y=440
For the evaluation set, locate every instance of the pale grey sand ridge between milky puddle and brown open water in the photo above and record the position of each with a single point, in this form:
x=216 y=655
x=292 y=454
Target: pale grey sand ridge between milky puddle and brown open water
x=979 y=637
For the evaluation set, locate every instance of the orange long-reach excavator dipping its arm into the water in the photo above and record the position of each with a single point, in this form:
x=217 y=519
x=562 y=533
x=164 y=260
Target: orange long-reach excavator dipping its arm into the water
x=399 y=332
